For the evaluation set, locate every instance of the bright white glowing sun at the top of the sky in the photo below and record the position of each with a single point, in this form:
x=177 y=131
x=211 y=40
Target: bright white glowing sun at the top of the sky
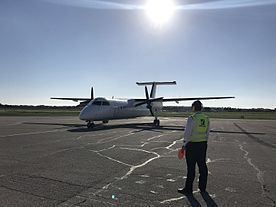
x=160 y=11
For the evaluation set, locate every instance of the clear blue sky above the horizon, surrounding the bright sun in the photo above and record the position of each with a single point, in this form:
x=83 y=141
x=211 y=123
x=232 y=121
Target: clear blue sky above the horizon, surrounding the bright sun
x=60 y=48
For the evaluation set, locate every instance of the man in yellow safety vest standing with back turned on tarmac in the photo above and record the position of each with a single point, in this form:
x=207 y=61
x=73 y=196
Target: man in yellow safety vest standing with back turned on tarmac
x=195 y=147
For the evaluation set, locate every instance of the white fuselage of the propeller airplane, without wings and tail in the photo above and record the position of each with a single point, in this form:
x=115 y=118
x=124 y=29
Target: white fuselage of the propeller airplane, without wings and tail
x=101 y=109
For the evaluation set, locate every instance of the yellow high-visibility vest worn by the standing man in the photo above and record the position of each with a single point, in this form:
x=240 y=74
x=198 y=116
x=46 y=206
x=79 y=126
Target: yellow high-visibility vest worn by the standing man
x=200 y=127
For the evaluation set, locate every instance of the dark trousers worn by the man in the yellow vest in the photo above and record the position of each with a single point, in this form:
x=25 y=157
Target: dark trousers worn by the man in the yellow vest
x=196 y=154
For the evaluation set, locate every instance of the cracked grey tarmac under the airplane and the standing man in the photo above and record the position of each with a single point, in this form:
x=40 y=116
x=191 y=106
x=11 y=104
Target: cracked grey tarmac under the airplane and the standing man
x=57 y=161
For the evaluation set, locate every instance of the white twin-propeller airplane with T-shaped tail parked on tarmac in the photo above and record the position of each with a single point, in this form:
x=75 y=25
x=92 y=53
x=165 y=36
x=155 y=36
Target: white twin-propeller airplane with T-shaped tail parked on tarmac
x=103 y=109
